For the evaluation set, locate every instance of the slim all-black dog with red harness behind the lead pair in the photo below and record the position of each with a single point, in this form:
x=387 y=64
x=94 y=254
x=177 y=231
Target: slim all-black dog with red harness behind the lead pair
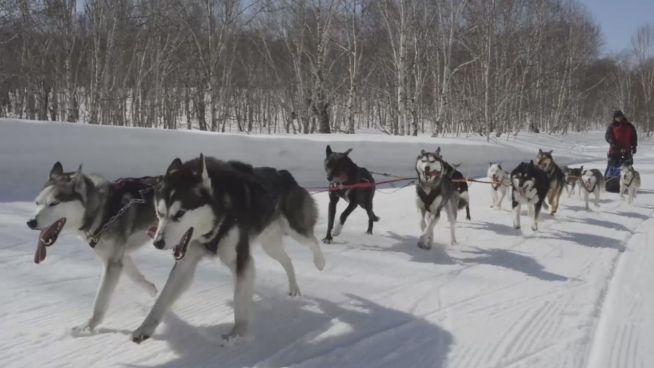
x=342 y=171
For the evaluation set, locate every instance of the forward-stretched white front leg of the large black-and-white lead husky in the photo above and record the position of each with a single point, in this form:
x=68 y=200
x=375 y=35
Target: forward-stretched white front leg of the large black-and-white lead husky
x=178 y=281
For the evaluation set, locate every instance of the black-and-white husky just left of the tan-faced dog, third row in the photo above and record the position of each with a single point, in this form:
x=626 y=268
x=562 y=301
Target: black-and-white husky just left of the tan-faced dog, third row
x=529 y=185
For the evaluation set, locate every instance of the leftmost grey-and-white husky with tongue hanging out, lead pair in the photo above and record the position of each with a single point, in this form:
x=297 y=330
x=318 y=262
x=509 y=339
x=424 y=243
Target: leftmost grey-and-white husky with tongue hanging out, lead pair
x=101 y=212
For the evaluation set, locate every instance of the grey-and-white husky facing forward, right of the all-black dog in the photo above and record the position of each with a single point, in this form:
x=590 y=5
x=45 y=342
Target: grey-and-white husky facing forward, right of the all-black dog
x=435 y=191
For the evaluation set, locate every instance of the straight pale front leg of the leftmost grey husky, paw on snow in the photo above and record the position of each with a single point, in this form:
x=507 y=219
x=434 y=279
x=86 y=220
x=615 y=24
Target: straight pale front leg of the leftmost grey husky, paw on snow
x=110 y=276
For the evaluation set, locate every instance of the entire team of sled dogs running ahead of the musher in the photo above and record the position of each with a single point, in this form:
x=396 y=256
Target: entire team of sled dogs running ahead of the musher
x=211 y=208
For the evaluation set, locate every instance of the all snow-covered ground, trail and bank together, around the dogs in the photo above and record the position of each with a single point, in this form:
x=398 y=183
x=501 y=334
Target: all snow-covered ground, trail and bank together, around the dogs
x=578 y=293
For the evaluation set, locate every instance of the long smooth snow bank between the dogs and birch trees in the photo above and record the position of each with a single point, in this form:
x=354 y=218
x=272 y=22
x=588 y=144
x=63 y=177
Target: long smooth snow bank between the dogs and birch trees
x=29 y=149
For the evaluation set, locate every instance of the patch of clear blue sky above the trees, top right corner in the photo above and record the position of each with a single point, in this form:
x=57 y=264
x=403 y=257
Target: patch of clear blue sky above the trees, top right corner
x=619 y=20
